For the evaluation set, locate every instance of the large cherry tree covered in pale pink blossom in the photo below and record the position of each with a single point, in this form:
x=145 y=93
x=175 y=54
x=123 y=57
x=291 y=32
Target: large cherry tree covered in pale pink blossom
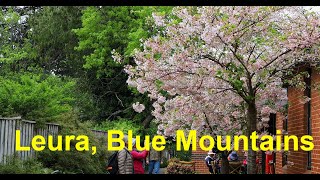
x=220 y=70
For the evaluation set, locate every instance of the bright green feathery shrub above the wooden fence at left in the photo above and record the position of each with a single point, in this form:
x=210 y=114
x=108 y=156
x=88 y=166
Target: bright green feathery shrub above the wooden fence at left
x=35 y=97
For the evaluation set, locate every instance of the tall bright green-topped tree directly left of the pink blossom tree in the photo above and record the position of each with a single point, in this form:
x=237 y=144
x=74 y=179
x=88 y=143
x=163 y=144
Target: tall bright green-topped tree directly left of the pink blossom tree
x=103 y=30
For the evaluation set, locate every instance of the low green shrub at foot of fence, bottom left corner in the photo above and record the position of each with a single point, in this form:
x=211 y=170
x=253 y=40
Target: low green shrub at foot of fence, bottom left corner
x=15 y=165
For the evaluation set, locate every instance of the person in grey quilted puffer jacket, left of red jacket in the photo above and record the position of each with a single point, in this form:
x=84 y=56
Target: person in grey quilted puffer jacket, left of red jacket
x=125 y=160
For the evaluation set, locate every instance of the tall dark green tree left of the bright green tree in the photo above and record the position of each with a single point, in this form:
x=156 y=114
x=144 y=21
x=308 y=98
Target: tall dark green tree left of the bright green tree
x=53 y=46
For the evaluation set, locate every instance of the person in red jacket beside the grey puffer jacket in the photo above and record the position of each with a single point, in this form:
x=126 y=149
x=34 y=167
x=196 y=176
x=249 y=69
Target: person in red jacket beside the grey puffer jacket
x=138 y=158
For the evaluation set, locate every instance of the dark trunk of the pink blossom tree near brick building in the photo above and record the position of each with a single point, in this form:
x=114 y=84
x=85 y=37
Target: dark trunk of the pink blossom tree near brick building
x=252 y=126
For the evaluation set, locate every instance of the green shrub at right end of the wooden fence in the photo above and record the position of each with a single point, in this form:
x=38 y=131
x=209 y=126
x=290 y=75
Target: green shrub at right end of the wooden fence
x=74 y=161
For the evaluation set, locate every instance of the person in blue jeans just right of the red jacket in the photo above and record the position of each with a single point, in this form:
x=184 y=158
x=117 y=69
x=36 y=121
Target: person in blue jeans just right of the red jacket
x=154 y=160
